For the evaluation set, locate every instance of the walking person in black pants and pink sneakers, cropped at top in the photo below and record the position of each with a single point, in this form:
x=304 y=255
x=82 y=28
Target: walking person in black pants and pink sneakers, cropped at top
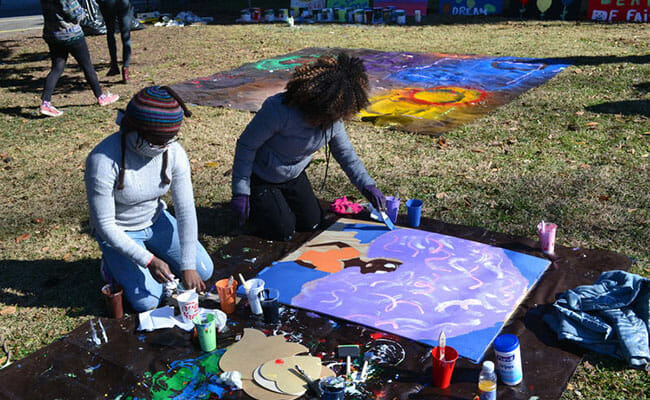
x=63 y=35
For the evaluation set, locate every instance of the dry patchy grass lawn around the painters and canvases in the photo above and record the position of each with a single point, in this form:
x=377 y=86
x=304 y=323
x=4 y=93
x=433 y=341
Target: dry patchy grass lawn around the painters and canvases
x=574 y=151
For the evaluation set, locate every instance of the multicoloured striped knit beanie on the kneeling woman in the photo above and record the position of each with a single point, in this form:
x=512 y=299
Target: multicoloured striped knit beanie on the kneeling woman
x=156 y=110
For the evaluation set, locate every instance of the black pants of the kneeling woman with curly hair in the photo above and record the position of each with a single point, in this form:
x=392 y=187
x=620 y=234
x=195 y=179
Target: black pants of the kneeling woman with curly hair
x=280 y=209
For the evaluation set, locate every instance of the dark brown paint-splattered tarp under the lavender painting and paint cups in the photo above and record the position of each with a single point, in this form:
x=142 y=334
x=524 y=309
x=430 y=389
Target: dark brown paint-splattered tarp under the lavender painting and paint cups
x=75 y=368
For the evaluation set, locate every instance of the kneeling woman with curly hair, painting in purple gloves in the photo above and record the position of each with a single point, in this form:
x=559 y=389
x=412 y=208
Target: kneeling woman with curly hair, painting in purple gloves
x=269 y=178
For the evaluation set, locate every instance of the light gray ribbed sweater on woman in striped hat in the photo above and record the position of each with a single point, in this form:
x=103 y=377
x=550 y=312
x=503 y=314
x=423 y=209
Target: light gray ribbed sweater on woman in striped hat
x=139 y=204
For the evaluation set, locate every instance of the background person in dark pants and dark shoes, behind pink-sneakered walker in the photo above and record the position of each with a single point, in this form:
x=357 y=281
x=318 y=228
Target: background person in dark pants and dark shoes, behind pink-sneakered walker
x=118 y=12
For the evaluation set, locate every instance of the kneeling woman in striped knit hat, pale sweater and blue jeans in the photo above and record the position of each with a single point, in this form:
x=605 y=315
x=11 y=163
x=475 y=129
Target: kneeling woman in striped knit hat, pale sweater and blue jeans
x=143 y=245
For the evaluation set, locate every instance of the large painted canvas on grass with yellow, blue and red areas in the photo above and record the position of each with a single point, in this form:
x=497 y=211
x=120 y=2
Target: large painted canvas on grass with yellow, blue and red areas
x=418 y=92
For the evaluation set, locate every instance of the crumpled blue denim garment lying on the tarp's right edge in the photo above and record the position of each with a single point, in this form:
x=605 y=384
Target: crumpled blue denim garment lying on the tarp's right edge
x=611 y=317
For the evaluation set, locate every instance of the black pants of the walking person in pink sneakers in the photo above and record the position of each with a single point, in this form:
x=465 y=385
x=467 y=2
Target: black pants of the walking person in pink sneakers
x=59 y=54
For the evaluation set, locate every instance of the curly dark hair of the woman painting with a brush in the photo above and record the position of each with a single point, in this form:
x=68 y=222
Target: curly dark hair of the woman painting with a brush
x=329 y=89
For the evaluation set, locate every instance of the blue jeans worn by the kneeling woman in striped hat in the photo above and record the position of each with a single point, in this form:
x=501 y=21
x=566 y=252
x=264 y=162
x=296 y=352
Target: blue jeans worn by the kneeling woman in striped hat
x=140 y=288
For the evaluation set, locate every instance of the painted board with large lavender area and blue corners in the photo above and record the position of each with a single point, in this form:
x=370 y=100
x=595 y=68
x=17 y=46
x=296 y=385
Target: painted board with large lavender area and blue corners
x=408 y=282
